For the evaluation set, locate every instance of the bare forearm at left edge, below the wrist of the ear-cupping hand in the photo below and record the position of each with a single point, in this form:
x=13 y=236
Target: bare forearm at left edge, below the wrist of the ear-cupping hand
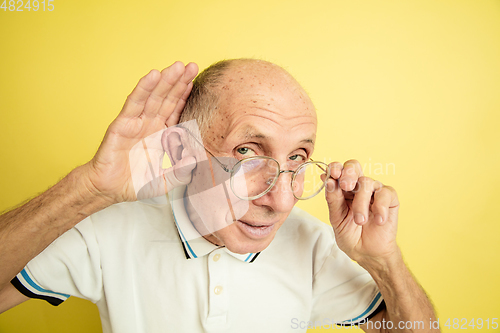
x=30 y=228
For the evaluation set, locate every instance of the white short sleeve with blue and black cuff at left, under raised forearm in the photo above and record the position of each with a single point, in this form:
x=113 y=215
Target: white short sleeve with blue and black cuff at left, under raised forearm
x=70 y=266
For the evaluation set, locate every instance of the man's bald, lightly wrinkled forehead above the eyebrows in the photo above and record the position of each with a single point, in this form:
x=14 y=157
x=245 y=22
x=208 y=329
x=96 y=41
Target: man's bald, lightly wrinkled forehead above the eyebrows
x=259 y=99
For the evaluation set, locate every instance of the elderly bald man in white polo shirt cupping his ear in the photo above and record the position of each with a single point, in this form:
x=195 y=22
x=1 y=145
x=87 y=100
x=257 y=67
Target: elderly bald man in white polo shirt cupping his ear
x=269 y=268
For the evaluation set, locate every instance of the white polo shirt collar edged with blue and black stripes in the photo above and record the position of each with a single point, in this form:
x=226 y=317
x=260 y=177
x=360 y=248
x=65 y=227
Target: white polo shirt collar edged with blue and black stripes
x=195 y=245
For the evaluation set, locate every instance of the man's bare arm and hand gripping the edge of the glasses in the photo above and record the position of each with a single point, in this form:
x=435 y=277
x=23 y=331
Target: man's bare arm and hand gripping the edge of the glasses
x=364 y=215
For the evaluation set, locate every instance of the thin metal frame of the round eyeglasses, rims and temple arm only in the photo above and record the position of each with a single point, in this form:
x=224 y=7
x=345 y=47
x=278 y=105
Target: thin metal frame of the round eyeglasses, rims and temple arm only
x=231 y=171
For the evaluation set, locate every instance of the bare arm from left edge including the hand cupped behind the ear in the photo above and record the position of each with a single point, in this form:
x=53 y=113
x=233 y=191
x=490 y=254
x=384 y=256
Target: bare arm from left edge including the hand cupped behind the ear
x=154 y=104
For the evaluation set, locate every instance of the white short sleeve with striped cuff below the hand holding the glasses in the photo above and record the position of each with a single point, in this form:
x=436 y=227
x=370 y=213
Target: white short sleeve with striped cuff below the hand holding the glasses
x=343 y=292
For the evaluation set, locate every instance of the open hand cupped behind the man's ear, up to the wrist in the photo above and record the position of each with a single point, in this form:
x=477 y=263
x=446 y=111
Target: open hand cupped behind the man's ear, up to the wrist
x=155 y=104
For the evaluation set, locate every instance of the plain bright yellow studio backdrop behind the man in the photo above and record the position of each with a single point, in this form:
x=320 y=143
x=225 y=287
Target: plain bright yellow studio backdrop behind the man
x=409 y=88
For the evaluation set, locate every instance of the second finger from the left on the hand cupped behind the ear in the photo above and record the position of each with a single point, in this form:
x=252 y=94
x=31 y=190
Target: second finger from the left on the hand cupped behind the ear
x=170 y=77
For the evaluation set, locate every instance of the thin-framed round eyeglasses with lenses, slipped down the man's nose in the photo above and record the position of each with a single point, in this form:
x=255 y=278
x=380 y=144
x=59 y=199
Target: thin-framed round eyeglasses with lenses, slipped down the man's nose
x=254 y=177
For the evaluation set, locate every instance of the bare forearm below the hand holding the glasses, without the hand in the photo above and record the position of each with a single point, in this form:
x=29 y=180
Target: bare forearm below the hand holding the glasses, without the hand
x=405 y=300
